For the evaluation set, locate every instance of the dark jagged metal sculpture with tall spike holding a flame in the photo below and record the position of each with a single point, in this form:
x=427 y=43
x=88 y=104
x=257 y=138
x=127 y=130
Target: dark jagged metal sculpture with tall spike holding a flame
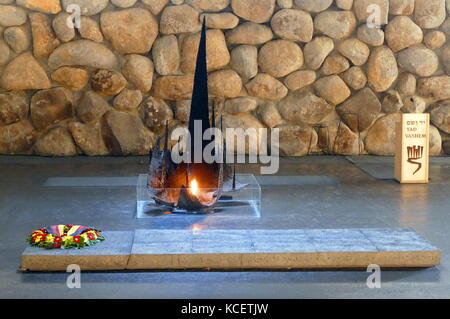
x=192 y=186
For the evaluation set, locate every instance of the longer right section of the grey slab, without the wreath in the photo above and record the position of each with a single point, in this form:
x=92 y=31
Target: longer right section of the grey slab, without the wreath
x=281 y=249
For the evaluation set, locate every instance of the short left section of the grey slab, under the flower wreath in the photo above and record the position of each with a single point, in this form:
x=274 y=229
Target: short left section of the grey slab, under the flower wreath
x=111 y=254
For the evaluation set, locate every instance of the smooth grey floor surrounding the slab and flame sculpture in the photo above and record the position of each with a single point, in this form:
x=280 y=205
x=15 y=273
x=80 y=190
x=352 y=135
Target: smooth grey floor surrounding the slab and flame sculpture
x=359 y=201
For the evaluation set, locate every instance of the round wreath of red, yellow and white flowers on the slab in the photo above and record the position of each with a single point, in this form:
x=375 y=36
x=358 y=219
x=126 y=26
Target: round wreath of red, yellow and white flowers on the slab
x=65 y=236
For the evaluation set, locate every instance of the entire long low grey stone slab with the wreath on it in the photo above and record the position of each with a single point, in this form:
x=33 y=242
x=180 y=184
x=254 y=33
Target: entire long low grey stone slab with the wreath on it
x=242 y=249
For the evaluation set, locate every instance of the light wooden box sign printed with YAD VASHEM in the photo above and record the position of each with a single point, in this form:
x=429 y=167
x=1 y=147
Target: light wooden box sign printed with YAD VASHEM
x=412 y=149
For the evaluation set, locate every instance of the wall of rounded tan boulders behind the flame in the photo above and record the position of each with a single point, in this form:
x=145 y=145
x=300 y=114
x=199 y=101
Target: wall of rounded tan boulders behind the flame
x=312 y=68
